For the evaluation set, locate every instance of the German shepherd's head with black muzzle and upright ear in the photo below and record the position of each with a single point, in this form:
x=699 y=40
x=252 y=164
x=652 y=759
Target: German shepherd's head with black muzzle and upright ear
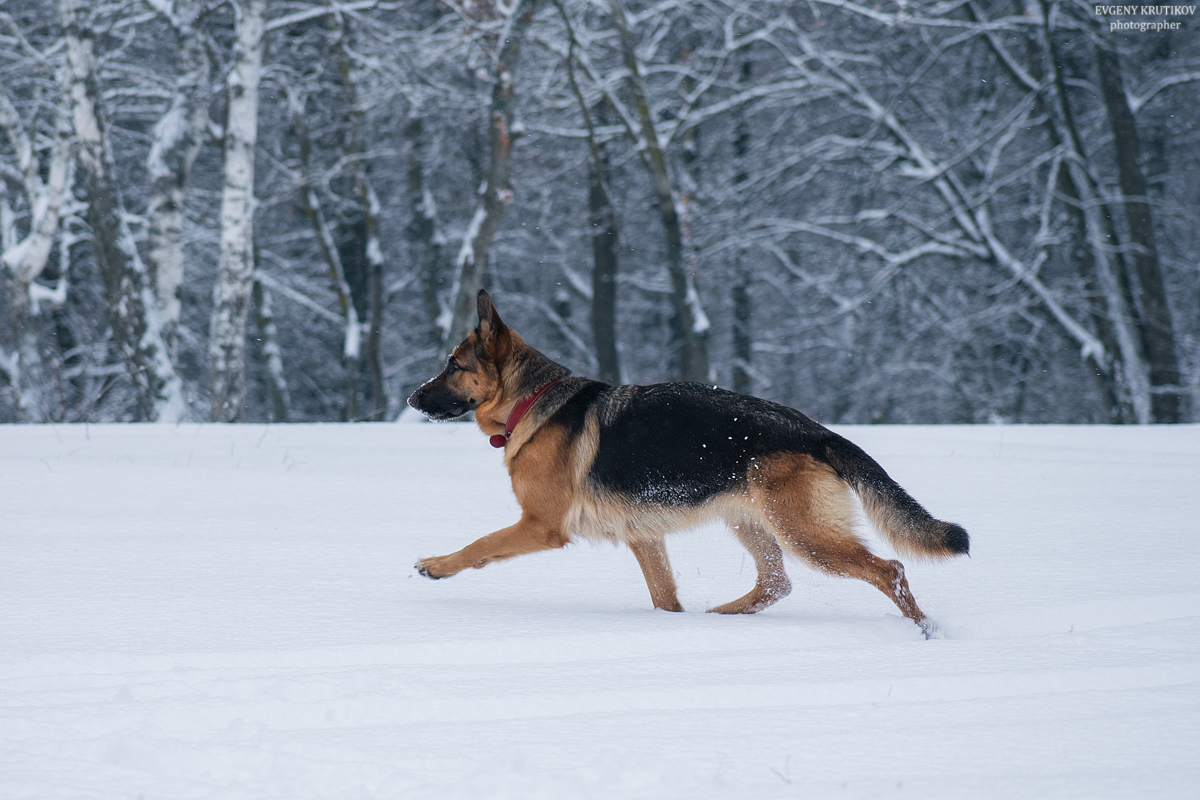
x=473 y=374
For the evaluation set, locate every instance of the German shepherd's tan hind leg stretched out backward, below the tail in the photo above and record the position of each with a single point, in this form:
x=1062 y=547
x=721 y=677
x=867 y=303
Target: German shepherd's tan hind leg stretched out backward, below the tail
x=813 y=514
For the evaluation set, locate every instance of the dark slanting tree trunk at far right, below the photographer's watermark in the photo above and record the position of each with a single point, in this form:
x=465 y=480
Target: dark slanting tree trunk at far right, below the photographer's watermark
x=1157 y=329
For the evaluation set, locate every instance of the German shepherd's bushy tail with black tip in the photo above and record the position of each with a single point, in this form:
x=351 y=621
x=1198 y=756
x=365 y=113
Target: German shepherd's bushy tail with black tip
x=905 y=522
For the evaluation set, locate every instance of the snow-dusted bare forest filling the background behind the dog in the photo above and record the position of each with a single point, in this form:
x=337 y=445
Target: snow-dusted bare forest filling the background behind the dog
x=956 y=212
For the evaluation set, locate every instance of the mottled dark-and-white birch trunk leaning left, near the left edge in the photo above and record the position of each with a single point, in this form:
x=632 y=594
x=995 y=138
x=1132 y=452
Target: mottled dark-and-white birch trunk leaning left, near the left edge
x=133 y=311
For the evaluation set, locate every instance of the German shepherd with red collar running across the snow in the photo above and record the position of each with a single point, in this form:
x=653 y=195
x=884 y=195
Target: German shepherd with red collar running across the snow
x=634 y=464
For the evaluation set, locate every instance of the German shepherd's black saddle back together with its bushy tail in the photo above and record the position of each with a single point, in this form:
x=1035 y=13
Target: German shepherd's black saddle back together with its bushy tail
x=682 y=446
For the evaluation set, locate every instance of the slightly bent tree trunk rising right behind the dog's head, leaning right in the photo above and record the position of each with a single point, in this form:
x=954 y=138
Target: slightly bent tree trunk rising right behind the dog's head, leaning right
x=497 y=191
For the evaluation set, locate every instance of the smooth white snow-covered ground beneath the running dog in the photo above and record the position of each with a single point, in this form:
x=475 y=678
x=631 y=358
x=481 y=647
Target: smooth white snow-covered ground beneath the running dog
x=231 y=612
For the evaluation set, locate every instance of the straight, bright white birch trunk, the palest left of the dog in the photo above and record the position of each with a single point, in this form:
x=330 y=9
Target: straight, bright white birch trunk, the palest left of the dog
x=231 y=296
